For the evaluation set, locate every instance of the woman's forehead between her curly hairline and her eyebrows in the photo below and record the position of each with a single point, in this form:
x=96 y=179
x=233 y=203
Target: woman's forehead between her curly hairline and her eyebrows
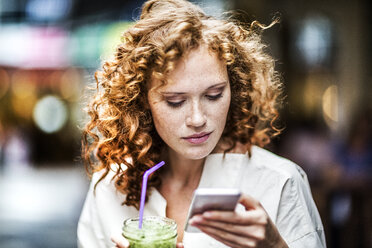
x=198 y=70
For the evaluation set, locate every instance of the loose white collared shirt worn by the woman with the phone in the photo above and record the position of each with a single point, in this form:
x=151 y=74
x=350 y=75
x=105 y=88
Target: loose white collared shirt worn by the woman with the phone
x=280 y=185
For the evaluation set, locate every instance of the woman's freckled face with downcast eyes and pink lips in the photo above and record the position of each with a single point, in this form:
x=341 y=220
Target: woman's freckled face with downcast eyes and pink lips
x=190 y=111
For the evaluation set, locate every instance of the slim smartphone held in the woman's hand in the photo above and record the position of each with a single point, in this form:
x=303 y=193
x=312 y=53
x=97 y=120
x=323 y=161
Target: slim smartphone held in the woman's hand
x=204 y=199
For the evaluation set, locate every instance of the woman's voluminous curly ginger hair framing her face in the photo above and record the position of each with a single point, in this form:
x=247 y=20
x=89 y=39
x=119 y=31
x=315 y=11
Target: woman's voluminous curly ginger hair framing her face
x=121 y=129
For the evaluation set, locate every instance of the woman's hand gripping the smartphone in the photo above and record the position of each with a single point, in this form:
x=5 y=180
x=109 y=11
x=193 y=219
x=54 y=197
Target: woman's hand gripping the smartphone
x=252 y=228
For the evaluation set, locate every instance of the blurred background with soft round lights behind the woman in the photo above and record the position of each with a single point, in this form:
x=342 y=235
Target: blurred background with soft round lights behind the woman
x=50 y=49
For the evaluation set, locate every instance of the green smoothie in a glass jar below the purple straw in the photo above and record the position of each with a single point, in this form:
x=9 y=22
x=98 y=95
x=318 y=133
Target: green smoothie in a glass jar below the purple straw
x=156 y=232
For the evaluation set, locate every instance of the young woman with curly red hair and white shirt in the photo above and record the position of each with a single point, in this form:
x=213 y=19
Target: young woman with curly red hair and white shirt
x=202 y=95
